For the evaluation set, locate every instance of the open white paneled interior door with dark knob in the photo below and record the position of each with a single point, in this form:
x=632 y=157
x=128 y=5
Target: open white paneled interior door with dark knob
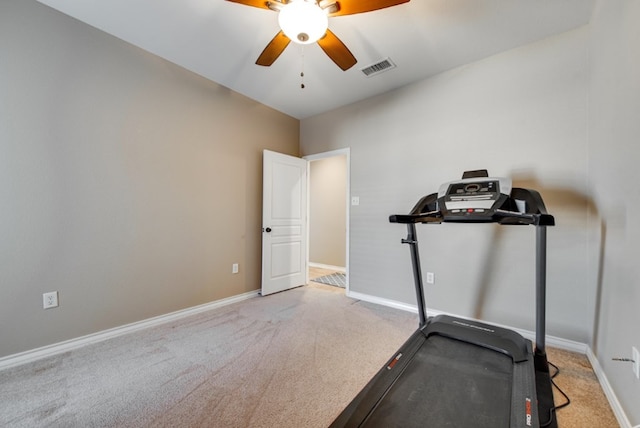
x=284 y=222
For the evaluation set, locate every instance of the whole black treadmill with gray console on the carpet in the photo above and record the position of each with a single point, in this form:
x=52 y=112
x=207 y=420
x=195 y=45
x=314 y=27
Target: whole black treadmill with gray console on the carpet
x=455 y=372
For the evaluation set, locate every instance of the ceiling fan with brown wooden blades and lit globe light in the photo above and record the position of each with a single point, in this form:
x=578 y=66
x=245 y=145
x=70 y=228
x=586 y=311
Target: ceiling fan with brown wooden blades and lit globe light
x=306 y=21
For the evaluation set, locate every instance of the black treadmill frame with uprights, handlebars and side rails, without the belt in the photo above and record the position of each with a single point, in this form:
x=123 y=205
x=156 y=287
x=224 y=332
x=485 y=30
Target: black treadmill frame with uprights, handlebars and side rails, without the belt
x=508 y=209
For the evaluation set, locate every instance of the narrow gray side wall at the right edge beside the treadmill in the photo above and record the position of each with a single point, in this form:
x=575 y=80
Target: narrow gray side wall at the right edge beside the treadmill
x=614 y=153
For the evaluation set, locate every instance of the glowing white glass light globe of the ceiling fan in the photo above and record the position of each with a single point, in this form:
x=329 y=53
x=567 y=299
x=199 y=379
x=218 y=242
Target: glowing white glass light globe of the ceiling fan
x=303 y=21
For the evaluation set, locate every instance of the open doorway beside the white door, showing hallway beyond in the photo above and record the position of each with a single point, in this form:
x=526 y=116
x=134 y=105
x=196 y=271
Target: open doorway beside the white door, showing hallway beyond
x=328 y=222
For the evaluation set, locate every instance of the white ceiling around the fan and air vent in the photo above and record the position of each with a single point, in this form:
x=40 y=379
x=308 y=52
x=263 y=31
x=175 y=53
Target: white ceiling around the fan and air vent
x=221 y=40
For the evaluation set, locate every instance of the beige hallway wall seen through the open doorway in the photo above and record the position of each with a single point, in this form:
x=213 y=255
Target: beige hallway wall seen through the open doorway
x=327 y=211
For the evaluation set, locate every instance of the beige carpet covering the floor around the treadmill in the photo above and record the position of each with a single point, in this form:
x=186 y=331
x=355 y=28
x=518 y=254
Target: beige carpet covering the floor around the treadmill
x=293 y=359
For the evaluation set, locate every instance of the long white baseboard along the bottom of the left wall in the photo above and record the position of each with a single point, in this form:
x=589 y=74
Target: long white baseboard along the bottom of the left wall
x=58 y=348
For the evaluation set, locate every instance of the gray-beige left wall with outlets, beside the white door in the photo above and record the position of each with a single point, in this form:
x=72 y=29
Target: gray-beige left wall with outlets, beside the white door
x=127 y=184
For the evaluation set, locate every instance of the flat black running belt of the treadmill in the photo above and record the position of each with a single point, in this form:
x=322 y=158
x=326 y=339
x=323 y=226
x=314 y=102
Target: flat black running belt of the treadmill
x=447 y=384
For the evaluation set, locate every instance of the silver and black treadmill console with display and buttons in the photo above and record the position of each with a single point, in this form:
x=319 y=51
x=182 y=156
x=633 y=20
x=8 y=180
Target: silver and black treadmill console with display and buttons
x=474 y=199
